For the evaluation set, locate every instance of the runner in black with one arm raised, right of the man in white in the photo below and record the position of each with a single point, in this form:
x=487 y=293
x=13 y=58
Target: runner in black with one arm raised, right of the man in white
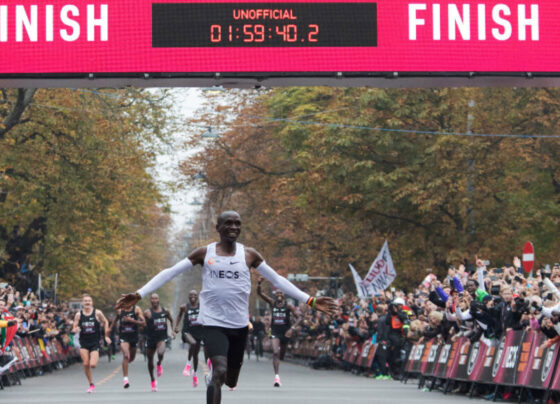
x=280 y=326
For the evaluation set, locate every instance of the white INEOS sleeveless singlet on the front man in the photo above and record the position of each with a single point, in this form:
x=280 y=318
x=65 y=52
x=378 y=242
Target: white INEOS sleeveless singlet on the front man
x=226 y=286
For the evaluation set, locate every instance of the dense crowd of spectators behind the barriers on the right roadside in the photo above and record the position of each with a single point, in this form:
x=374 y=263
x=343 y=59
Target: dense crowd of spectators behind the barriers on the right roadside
x=479 y=302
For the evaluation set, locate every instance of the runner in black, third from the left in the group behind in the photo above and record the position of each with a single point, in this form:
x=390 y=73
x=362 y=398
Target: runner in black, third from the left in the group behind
x=156 y=332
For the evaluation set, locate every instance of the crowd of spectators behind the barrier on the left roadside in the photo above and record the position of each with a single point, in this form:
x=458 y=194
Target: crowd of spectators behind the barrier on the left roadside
x=39 y=319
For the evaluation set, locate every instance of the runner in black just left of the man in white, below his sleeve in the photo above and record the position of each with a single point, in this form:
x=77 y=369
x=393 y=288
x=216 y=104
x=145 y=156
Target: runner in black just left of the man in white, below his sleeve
x=191 y=334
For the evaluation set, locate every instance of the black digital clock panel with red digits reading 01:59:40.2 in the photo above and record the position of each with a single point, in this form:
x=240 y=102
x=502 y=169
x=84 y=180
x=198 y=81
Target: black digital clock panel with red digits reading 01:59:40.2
x=178 y=25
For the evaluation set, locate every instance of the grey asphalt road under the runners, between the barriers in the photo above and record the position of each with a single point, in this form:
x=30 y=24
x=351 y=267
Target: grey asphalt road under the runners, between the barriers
x=300 y=385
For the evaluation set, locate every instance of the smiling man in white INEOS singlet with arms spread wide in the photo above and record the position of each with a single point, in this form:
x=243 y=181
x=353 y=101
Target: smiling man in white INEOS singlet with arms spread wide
x=224 y=299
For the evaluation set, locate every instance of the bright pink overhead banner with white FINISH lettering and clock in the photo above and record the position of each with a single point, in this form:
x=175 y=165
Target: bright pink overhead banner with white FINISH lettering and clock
x=137 y=36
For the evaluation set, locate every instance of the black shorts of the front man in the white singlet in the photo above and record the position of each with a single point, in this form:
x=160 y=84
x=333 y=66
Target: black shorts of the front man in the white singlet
x=228 y=342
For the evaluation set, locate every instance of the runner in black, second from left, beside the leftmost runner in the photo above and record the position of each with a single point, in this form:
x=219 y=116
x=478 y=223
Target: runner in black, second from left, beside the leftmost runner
x=128 y=320
